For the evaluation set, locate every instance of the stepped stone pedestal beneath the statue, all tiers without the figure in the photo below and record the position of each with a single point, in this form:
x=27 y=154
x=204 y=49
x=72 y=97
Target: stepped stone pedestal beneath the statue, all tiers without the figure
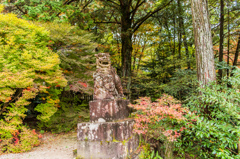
x=109 y=134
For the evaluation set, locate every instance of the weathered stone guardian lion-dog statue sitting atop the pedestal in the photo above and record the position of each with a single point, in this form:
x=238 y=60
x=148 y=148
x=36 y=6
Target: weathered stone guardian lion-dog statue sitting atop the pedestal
x=107 y=84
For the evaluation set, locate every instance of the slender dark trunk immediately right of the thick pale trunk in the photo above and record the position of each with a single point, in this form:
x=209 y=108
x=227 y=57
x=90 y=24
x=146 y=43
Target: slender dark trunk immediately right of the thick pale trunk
x=220 y=72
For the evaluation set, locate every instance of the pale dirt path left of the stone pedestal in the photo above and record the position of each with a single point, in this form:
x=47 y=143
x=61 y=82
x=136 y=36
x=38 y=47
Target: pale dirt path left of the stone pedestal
x=53 y=146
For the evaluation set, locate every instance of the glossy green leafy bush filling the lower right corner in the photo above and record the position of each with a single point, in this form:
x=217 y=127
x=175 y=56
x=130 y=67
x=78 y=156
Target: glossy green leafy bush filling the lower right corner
x=214 y=129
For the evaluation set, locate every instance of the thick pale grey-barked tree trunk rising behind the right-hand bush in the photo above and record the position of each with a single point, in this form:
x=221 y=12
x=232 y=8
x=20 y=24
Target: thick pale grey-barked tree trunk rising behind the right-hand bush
x=203 y=42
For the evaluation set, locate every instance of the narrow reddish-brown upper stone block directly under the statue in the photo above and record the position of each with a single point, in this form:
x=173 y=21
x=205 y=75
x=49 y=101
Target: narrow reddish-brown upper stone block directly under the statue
x=108 y=110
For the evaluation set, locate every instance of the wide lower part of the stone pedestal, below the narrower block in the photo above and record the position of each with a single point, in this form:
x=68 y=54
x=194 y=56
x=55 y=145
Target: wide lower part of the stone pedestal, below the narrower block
x=106 y=140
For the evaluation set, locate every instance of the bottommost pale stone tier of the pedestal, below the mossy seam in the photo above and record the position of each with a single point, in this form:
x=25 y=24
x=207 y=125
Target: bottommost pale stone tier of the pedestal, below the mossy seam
x=107 y=149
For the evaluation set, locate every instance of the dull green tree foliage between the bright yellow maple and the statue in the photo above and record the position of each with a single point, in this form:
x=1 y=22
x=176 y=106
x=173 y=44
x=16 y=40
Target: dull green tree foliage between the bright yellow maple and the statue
x=75 y=48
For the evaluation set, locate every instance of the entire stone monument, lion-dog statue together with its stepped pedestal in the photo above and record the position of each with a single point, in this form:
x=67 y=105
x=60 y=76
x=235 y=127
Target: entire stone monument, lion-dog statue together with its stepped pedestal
x=109 y=134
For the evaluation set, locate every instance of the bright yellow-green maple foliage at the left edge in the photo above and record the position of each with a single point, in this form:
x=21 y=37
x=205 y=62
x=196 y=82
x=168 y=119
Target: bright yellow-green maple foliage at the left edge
x=27 y=68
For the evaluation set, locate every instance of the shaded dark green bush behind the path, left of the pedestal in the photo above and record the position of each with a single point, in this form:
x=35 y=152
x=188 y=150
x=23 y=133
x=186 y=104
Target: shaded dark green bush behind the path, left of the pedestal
x=72 y=111
